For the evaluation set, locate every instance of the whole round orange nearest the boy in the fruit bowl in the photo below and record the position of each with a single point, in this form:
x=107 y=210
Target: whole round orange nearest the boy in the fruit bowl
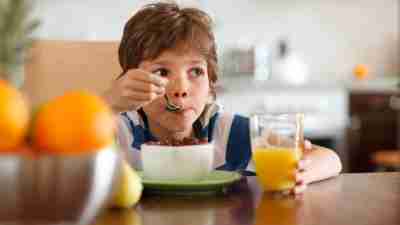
x=76 y=122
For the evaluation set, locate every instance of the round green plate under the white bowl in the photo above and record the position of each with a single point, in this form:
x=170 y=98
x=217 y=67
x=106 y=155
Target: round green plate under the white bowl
x=217 y=182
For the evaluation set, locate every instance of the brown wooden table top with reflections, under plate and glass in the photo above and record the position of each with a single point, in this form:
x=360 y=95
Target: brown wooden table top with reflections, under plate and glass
x=372 y=199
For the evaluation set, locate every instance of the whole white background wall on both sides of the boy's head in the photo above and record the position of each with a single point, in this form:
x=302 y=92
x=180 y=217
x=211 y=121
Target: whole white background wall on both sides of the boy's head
x=332 y=35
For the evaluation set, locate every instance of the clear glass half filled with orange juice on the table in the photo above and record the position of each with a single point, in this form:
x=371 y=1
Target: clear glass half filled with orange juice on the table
x=277 y=141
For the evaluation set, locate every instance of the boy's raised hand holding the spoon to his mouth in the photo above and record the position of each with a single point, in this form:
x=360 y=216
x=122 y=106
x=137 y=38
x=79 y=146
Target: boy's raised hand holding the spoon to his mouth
x=135 y=89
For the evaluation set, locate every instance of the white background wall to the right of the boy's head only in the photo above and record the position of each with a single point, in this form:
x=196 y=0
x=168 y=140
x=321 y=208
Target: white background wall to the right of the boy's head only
x=332 y=35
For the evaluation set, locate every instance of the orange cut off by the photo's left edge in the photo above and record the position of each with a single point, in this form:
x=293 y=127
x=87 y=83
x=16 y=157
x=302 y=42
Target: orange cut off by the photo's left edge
x=14 y=117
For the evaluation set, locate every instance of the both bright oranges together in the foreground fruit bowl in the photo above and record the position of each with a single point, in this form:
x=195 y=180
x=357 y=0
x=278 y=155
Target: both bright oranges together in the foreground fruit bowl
x=74 y=123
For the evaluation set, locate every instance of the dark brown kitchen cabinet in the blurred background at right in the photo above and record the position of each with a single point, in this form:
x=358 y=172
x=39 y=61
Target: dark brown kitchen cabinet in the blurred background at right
x=374 y=127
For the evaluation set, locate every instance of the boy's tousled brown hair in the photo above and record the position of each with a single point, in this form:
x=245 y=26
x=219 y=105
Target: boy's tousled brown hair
x=161 y=26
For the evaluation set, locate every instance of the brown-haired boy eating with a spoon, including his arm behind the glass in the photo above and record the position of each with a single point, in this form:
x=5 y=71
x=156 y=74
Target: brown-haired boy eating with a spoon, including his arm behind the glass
x=169 y=51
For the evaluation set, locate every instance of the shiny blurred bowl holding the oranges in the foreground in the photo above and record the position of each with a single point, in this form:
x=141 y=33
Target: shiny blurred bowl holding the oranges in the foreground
x=57 y=189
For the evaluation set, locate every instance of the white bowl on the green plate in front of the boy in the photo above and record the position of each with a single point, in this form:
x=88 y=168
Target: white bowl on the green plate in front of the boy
x=189 y=162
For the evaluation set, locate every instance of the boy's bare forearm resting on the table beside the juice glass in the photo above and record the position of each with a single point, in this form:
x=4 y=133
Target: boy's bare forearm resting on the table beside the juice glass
x=324 y=163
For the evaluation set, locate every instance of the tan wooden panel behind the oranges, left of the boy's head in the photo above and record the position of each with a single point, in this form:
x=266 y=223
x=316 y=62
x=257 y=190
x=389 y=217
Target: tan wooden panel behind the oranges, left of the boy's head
x=59 y=66
